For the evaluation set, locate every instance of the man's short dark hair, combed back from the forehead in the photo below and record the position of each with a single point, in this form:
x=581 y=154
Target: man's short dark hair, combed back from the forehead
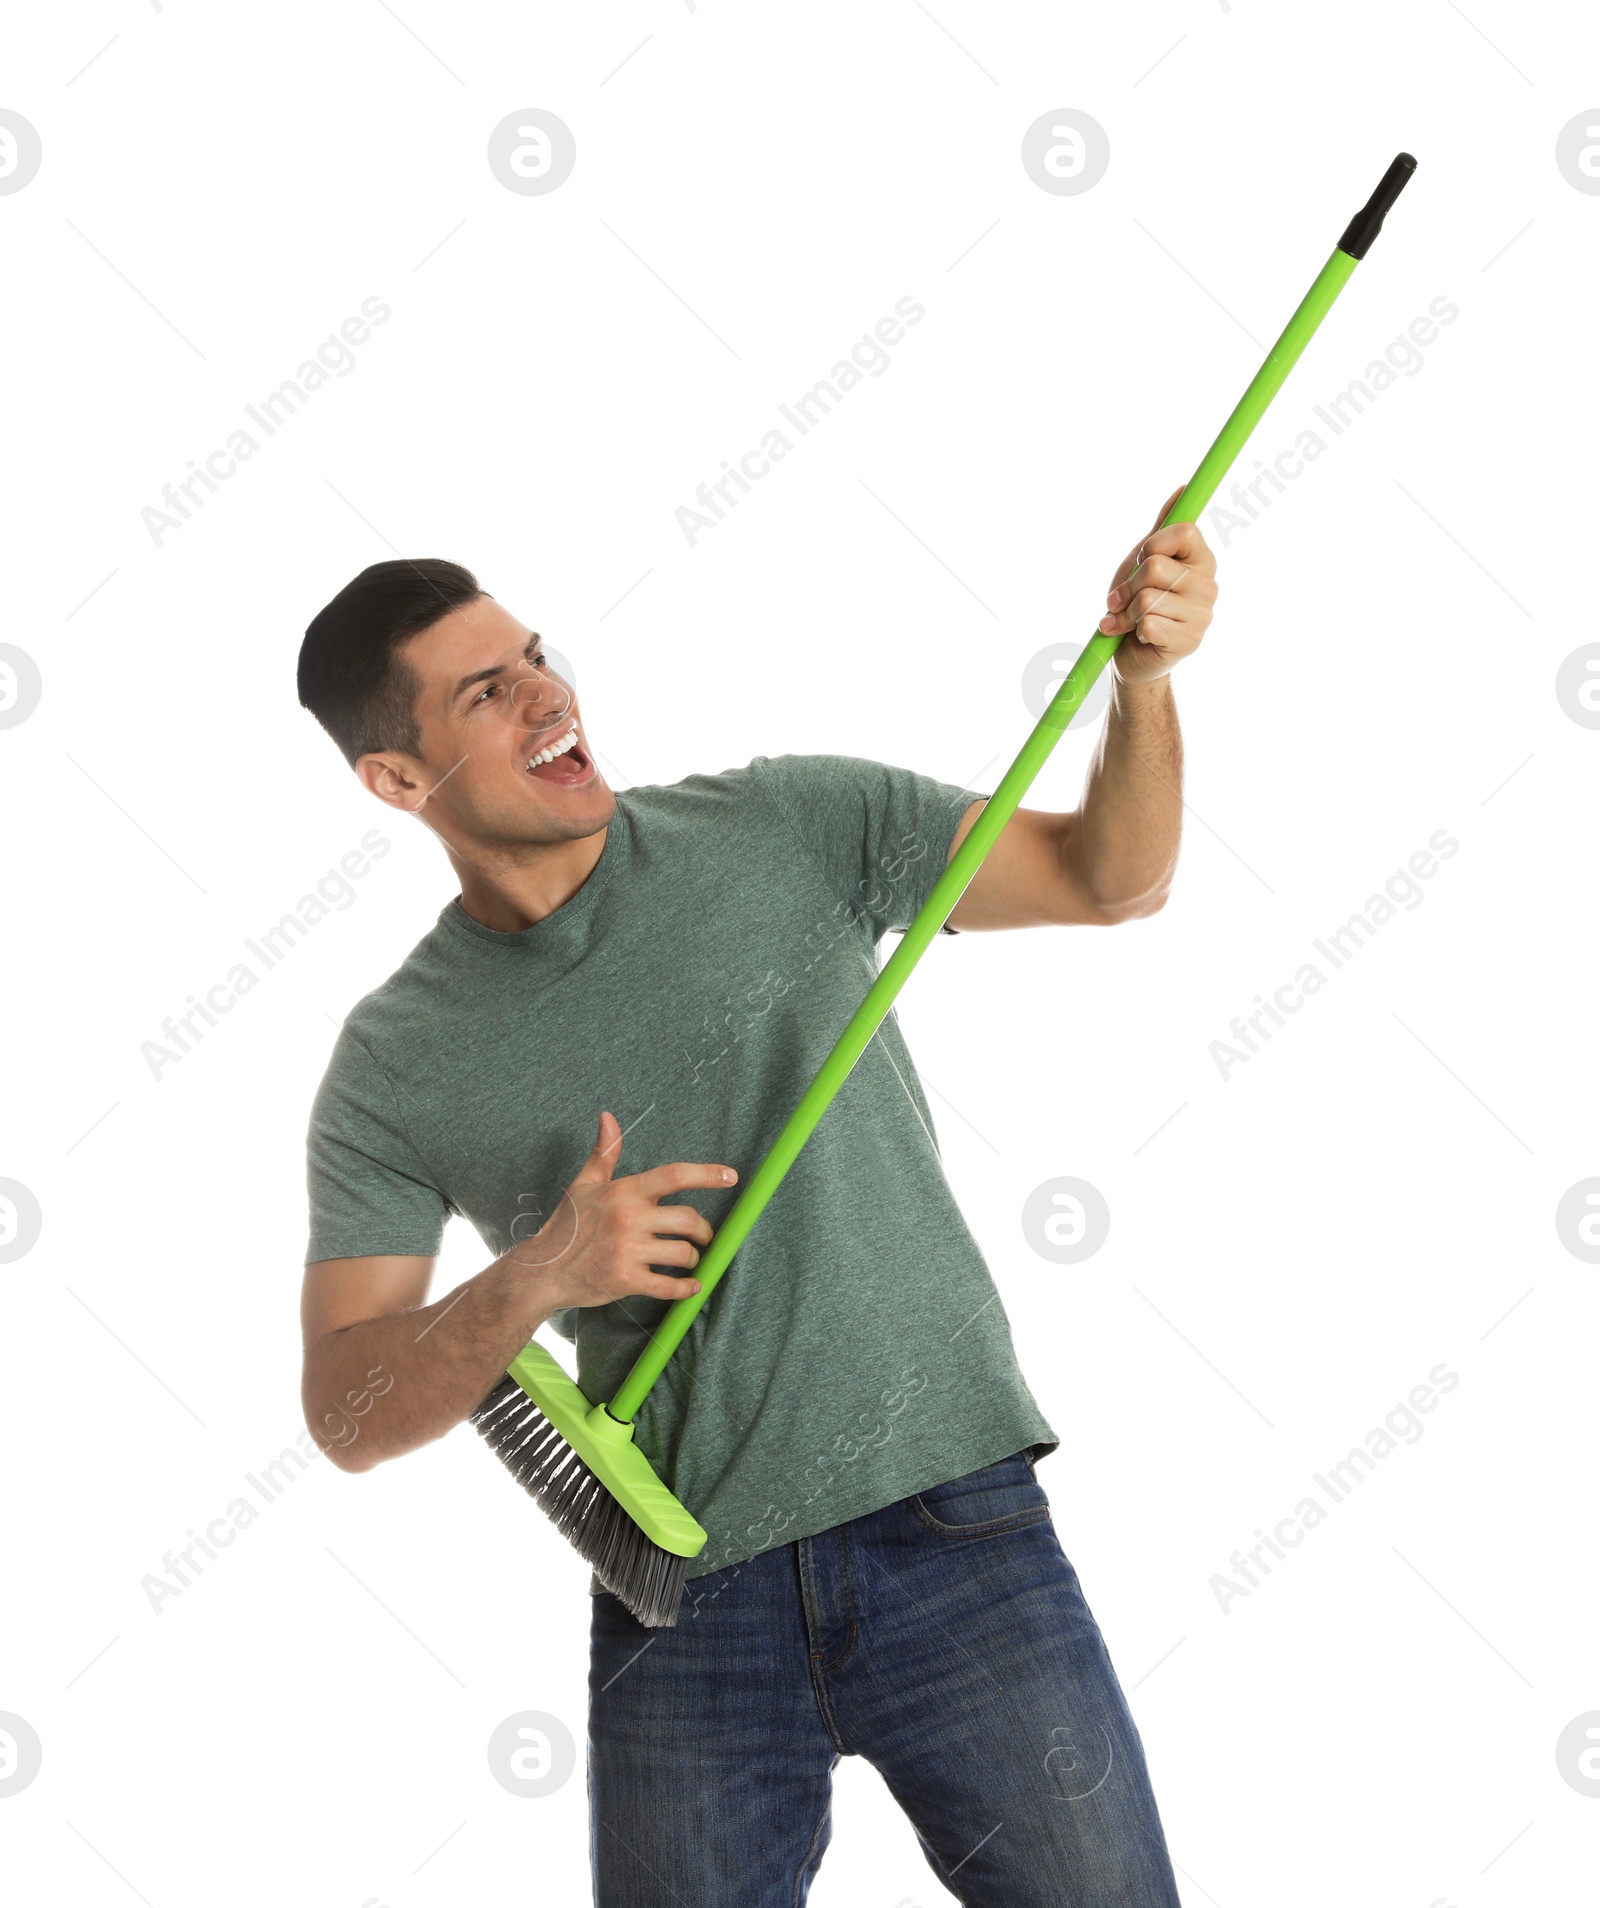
x=352 y=673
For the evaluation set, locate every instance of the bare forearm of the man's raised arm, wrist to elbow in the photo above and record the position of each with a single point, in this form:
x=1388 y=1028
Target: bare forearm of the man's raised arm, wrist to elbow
x=1122 y=846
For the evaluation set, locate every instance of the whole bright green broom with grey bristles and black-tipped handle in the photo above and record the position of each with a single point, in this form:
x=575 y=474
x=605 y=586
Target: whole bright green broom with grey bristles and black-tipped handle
x=579 y=1461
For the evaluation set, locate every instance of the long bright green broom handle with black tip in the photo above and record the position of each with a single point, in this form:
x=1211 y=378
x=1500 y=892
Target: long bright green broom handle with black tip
x=1000 y=808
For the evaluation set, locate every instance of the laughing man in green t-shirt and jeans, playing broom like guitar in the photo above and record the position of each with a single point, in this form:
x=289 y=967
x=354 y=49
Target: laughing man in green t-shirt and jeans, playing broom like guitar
x=600 y=1037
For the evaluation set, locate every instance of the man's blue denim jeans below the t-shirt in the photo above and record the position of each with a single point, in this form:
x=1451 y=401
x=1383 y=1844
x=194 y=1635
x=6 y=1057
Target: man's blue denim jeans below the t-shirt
x=947 y=1642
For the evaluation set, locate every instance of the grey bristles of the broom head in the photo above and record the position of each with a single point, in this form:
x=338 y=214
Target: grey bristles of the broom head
x=638 y=1571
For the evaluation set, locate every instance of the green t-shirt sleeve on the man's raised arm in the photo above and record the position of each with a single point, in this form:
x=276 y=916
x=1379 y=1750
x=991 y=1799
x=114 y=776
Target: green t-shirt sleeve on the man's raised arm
x=880 y=835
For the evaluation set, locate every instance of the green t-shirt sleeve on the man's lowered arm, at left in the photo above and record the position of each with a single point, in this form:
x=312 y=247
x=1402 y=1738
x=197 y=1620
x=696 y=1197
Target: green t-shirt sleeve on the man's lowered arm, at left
x=369 y=1190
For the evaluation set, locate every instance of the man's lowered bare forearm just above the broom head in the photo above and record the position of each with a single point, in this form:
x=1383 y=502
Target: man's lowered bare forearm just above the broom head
x=386 y=1386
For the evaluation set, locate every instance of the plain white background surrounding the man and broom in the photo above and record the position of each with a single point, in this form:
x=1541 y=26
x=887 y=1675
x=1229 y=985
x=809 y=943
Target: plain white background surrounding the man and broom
x=1372 y=1195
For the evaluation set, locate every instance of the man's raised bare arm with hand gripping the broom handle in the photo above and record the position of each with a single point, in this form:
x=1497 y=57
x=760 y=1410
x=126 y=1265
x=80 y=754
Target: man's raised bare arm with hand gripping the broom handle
x=1113 y=858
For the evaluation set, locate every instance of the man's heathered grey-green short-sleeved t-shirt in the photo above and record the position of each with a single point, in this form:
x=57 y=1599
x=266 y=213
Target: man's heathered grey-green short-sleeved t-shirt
x=855 y=1352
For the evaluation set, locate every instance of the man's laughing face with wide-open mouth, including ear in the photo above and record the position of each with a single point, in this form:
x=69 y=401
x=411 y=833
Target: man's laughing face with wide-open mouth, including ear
x=487 y=713
